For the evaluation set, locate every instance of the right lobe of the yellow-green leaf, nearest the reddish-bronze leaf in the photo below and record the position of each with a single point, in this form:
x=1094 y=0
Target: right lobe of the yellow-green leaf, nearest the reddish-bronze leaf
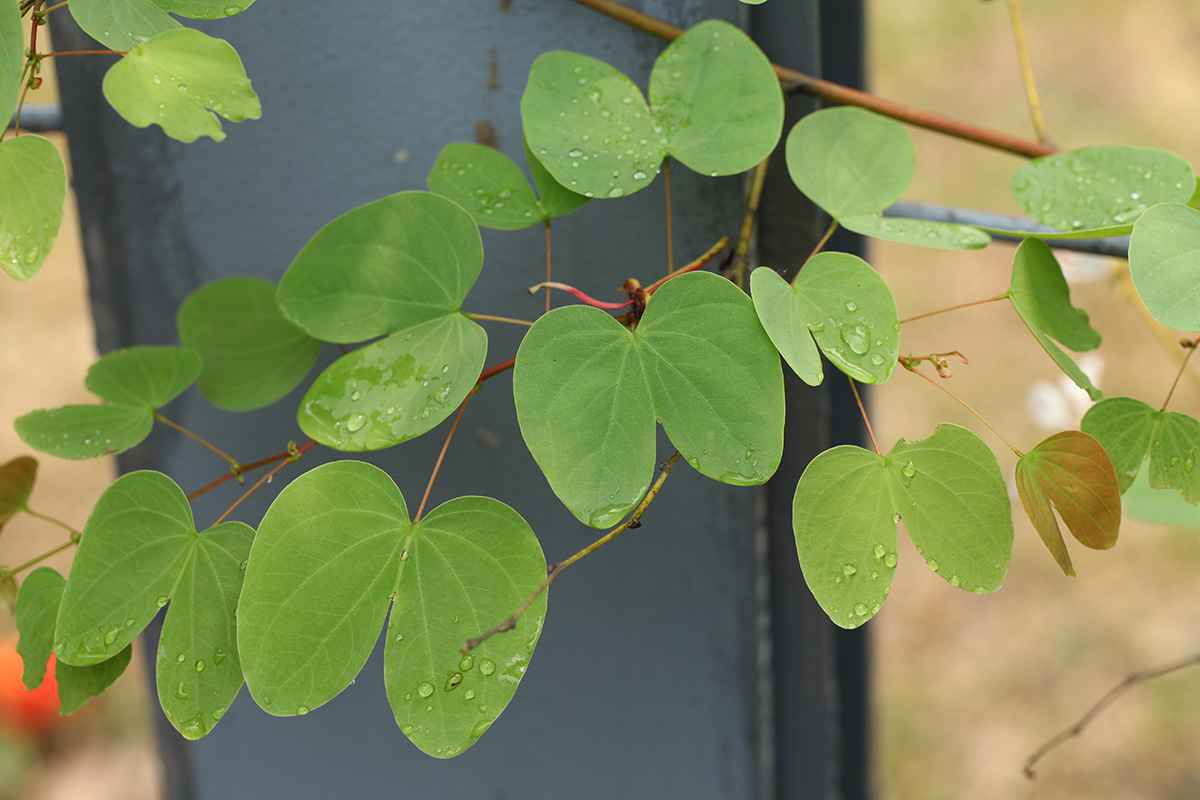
x=955 y=504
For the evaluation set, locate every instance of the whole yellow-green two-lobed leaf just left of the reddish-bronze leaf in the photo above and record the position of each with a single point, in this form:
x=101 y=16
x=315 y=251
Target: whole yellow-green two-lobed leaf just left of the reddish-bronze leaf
x=947 y=490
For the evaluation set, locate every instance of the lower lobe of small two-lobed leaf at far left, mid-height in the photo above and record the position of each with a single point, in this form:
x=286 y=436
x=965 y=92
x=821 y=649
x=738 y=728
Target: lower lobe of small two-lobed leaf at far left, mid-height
x=81 y=432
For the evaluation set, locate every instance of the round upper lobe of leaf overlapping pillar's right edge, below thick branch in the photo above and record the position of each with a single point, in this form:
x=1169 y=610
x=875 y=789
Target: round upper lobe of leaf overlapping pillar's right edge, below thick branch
x=849 y=161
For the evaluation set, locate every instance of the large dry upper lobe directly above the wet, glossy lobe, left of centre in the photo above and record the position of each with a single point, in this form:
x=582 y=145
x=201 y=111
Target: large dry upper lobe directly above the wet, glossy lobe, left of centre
x=387 y=267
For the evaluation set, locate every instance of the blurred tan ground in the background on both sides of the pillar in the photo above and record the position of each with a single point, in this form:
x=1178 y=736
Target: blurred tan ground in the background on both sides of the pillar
x=967 y=687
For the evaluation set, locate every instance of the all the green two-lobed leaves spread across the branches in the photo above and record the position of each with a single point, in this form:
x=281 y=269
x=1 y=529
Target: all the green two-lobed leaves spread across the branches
x=293 y=607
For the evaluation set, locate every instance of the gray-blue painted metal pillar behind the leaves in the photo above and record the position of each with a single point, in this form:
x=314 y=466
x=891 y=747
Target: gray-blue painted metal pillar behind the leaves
x=655 y=676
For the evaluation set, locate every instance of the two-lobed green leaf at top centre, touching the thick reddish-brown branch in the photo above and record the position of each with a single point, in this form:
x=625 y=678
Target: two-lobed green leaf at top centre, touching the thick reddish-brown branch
x=716 y=105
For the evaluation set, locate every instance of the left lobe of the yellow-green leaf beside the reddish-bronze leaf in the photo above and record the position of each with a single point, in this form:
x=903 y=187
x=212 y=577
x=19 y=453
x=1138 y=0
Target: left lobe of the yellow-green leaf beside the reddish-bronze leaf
x=845 y=534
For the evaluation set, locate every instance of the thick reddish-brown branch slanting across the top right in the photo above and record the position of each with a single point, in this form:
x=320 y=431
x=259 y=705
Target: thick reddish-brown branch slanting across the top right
x=835 y=93
